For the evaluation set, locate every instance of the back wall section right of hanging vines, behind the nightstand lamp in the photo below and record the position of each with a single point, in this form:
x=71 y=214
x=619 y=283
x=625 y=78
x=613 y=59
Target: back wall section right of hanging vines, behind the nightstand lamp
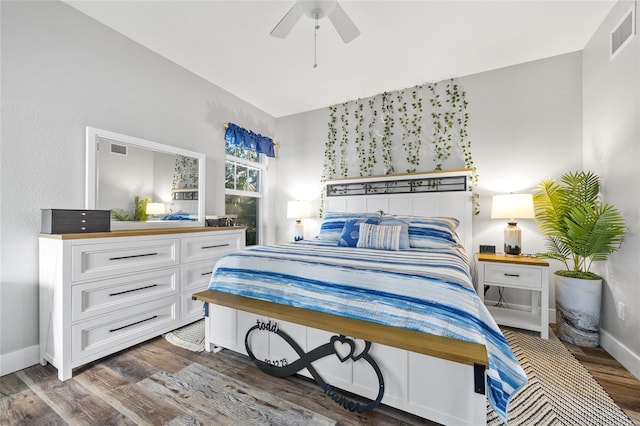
x=525 y=126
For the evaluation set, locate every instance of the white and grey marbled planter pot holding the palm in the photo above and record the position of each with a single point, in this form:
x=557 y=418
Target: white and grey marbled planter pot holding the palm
x=578 y=310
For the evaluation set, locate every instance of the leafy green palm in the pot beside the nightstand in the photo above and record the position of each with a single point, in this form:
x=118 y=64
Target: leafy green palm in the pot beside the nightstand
x=579 y=227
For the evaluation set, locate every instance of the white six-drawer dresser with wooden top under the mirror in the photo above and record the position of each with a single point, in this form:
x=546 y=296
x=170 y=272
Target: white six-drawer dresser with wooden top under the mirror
x=103 y=292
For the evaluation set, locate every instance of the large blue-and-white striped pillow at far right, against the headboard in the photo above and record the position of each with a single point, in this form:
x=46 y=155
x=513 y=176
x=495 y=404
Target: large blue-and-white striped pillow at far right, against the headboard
x=432 y=232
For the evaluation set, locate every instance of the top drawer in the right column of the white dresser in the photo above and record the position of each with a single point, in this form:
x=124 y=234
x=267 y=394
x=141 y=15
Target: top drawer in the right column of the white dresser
x=211 y=246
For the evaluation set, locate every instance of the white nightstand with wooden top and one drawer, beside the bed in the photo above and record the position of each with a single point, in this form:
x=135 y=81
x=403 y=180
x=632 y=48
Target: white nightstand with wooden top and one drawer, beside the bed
x=522 y=272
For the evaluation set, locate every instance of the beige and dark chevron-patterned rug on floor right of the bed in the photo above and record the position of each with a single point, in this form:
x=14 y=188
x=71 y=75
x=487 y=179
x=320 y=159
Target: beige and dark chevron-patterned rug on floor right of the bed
x=561 y=391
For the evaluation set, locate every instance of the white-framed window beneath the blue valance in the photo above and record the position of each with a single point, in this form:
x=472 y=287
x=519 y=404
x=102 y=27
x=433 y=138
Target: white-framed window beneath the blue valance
x=244 y=171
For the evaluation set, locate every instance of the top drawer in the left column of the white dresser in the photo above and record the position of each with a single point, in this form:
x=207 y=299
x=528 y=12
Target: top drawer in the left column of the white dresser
x=108 y=259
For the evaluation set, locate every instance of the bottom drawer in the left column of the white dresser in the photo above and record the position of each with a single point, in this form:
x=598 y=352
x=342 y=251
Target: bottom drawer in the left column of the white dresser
x=121 y=329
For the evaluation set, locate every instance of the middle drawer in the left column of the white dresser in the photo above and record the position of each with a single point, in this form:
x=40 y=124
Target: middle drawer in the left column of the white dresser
x=101 y=297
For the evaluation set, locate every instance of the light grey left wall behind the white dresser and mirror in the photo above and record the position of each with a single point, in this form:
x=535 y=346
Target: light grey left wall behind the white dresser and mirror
x=62 y=71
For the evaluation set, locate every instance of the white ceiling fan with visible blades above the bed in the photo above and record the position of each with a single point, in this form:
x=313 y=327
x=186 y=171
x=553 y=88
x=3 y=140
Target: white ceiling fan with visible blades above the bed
x=317 y=9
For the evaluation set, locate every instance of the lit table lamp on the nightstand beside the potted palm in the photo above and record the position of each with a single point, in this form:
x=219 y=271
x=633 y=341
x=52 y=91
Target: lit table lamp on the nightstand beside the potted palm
x=512 y=207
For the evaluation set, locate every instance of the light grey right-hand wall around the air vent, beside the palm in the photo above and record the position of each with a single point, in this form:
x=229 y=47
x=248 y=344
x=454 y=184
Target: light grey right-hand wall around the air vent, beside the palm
x=612 y=150
